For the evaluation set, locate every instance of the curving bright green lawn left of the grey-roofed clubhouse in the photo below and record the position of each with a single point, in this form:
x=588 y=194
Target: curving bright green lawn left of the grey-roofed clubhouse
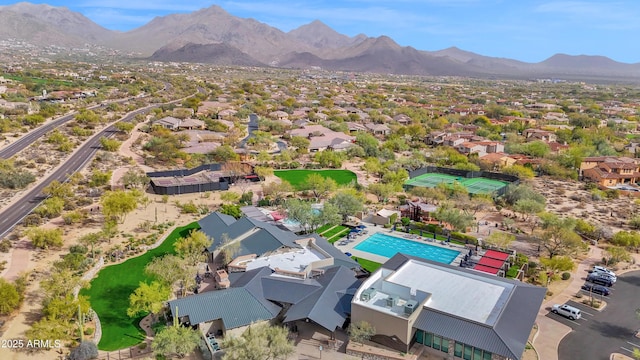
x=110 y=290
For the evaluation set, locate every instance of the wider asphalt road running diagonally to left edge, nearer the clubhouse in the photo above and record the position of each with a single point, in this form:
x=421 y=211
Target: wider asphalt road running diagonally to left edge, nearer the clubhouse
x=13 y=214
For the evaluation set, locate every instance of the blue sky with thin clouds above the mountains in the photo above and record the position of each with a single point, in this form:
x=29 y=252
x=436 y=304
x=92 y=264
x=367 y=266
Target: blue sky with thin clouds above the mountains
x=527 y=30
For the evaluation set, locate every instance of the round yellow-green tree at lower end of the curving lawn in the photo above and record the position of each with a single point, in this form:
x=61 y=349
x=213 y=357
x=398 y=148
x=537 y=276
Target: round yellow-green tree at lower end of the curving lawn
x=175 y=341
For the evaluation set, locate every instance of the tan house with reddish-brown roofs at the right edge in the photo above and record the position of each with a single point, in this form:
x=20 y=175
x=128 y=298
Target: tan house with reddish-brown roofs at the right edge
x=610 y=171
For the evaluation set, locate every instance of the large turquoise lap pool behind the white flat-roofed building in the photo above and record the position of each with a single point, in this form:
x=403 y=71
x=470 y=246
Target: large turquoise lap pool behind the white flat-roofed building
x=388 y=246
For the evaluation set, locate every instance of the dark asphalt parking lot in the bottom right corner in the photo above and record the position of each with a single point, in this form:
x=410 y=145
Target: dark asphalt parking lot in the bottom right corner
x=601 y=333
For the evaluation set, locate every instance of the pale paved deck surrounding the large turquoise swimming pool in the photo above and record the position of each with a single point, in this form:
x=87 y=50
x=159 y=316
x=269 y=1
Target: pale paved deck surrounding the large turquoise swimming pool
x=350 y=247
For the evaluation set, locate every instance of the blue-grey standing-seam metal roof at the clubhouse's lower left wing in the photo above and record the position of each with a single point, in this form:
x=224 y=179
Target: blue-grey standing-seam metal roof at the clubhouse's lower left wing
x=235 y=306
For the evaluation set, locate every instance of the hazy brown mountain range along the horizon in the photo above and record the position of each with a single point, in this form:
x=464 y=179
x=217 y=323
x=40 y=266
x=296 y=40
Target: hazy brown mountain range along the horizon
x=214 y=36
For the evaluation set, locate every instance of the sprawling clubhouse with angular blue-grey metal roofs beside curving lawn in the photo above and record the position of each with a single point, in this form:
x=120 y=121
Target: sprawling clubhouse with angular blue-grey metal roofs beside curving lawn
x=275 y=273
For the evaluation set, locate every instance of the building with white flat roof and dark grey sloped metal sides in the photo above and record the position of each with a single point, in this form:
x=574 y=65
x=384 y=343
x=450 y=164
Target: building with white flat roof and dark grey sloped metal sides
x=456 y=313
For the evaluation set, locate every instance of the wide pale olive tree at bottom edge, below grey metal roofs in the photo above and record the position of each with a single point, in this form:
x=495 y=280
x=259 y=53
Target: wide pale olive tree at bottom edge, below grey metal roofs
x=259 y=342
